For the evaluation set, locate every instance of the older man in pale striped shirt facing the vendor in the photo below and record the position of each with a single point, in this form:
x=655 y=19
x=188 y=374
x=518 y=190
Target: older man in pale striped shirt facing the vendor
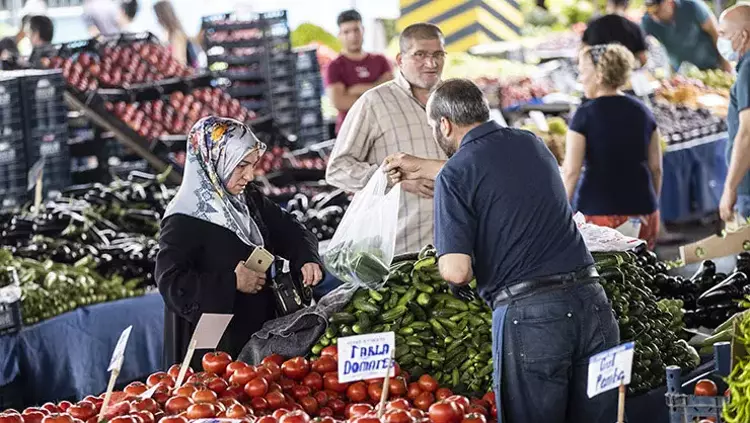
x=389 y=119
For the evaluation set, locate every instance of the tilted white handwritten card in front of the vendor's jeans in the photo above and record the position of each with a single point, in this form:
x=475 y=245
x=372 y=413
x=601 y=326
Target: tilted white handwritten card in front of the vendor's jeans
x=610 y=369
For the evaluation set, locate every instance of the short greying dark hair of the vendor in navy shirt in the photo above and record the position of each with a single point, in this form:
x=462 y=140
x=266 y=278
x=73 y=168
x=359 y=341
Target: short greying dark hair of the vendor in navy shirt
x=460 y=101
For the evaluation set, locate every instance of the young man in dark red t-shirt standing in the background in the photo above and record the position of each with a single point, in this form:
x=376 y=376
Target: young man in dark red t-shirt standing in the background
x=354 y=71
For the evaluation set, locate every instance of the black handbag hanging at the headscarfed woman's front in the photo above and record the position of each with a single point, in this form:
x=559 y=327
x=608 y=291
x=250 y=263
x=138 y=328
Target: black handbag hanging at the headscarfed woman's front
x=290 y=293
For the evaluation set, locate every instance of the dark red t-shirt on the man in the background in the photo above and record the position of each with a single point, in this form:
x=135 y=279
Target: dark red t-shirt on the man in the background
x=350 y=72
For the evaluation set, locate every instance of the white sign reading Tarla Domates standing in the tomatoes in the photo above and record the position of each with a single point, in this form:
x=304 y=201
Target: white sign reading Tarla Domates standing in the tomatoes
x=365 y=356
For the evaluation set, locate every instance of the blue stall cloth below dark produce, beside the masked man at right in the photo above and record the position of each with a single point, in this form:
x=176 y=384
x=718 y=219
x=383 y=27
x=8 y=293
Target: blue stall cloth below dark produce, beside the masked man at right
x=694 y=173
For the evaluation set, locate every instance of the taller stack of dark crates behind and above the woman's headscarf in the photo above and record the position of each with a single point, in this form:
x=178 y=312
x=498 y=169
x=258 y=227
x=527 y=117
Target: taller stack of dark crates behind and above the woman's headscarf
x=254 y=54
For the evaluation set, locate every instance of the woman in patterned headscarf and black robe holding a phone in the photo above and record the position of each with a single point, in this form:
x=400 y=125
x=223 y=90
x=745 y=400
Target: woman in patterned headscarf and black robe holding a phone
x=211 y=227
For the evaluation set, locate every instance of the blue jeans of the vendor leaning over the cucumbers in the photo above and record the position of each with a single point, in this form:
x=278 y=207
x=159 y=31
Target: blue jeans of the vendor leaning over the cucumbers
x=548 y=338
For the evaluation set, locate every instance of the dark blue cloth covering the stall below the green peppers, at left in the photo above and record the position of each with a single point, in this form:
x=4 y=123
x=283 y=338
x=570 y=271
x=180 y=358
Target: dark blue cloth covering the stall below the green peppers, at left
x=67 y=356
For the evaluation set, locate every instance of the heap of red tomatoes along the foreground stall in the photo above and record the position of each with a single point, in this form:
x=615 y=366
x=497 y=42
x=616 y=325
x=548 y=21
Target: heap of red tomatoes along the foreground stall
x=275 y=391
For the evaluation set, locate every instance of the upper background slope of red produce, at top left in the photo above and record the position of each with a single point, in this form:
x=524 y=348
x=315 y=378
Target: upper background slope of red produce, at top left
x=117 y=66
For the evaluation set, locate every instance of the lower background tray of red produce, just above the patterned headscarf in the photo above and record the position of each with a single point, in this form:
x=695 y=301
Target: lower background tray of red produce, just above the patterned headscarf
x=177 y=114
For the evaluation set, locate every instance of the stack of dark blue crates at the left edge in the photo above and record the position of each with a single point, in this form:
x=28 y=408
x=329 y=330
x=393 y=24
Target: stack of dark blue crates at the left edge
x=33 y=124
